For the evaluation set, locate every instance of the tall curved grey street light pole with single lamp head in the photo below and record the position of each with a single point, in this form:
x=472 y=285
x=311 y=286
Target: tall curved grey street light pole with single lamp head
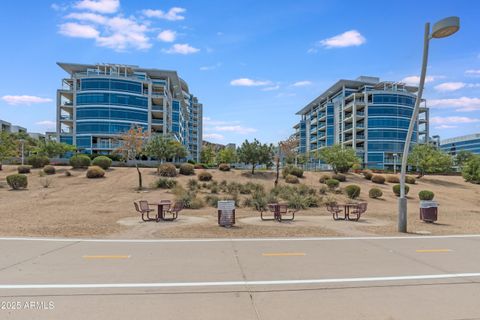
x=441 y=29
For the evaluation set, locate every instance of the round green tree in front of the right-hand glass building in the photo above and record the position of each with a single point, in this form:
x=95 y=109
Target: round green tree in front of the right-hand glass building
x=341 y=159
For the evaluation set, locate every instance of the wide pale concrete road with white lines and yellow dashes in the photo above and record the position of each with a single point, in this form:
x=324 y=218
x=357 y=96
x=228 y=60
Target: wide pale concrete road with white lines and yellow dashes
x=317 y=278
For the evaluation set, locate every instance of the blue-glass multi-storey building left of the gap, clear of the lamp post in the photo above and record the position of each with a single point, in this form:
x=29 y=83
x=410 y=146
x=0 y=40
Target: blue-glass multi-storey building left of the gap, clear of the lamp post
x=98 y=103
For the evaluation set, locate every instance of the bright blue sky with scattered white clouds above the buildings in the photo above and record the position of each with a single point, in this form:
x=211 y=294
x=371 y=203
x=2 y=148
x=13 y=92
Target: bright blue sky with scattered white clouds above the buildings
x=253 y=64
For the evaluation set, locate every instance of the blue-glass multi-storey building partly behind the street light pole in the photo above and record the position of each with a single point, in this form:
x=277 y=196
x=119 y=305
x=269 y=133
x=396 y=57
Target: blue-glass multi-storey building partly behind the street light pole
x=365 y=114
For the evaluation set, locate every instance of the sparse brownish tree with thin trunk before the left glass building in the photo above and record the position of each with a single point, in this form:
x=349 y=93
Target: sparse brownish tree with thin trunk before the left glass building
x=131 y=146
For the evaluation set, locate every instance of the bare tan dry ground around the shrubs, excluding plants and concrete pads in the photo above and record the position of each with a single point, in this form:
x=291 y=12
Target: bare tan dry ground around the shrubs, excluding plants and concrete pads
x=79 y=207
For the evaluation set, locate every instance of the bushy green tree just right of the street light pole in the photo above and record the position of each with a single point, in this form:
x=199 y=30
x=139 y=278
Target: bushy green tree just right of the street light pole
x=429 y=159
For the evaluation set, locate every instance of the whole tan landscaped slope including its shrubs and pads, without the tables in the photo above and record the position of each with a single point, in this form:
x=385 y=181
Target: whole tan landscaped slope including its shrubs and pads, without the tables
x=65 y=203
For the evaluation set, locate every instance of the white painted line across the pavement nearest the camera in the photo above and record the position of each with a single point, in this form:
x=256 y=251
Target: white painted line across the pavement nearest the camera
x=237 y=283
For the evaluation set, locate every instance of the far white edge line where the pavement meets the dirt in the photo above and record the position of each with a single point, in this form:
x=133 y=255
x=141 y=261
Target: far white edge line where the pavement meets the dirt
x=240 y=240
